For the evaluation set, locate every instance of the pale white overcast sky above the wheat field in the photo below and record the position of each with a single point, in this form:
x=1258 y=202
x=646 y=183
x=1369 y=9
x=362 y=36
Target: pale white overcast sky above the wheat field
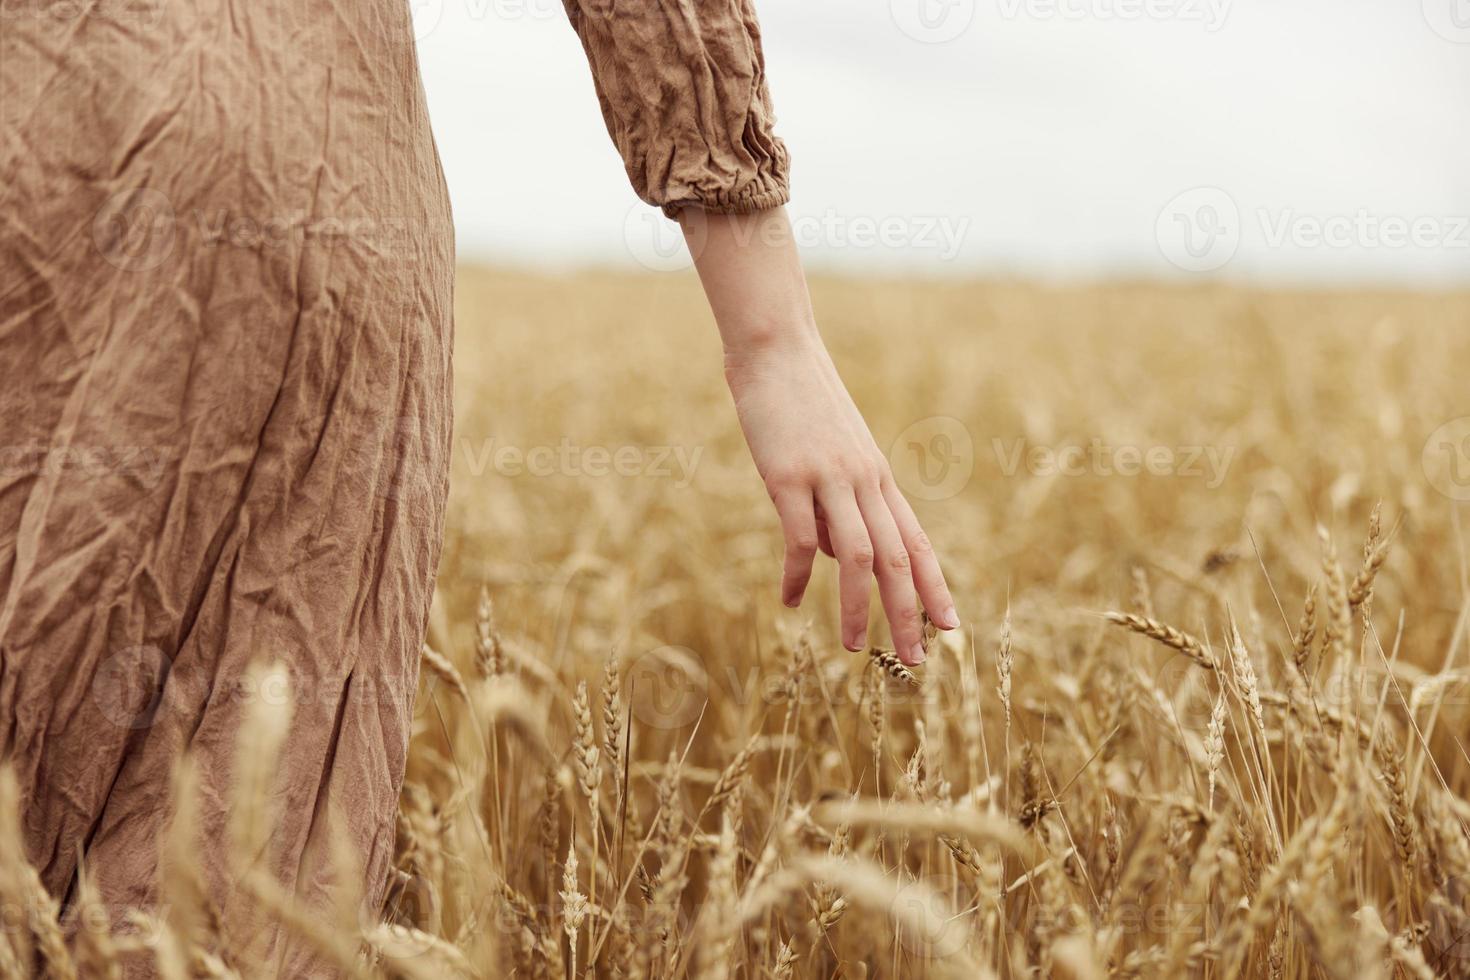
x=1050 y=139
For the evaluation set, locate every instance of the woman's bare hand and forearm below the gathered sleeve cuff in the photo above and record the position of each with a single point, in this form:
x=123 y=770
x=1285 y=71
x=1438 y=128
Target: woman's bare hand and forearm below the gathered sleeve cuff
x=830 y=483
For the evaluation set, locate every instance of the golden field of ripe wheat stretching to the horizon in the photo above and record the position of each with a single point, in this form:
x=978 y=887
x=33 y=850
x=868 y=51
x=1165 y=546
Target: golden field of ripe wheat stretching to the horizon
x=1208 y=715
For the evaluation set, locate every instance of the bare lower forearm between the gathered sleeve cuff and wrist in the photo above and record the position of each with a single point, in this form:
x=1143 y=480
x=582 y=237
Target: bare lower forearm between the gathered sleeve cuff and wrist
x=752 y=274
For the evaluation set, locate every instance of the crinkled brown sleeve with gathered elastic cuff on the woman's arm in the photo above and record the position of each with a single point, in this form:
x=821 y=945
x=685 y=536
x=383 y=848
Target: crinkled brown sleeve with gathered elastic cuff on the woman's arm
x=683 y=87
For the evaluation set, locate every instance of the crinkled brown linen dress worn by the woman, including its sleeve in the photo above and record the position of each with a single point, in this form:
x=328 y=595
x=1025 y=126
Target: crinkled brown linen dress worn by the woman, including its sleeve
x=226 y=325
